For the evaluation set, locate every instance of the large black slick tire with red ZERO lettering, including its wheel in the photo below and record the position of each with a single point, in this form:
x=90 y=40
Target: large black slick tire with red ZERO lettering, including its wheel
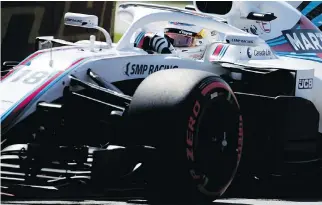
x=193 y=119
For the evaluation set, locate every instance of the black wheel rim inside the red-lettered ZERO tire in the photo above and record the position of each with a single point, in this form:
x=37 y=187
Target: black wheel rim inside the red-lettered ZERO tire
x=216 y=148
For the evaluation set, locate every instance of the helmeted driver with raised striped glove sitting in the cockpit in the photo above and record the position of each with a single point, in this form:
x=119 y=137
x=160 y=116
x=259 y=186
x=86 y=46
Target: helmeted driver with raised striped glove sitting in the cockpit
x=187 y=40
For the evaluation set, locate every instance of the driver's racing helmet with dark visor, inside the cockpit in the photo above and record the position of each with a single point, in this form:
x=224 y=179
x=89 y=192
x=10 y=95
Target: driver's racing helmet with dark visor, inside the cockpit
x=189 y=40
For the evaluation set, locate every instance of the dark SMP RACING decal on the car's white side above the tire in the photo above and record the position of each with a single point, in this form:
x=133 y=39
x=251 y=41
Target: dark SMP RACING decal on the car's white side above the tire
x=144 y=69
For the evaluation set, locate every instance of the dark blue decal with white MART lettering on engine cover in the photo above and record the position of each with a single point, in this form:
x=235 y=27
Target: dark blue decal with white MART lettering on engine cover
x=304 y=40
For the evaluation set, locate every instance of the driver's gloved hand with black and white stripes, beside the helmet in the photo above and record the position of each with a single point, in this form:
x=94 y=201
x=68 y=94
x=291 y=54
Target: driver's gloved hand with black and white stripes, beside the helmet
x=151 y=41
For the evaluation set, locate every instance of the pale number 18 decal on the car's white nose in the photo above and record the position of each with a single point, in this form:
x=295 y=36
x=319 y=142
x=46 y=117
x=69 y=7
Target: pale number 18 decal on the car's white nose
x=30 y=76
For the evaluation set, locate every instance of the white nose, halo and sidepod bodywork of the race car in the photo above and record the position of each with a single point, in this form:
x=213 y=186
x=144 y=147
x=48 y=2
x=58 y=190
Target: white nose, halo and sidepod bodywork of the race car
x=121 y=62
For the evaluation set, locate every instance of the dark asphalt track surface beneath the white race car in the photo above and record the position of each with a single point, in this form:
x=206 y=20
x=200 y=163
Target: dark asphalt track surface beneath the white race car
x=305 y=191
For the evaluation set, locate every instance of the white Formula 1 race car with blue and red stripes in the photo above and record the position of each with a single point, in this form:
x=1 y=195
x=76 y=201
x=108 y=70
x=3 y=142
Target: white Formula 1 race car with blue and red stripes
x=84 y=118
